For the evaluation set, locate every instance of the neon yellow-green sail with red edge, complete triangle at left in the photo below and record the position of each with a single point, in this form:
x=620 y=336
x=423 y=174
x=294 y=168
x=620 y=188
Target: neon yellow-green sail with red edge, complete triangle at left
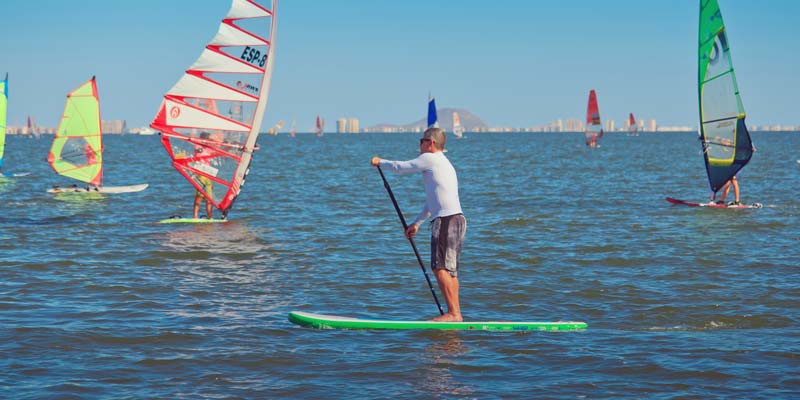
x=77 y=149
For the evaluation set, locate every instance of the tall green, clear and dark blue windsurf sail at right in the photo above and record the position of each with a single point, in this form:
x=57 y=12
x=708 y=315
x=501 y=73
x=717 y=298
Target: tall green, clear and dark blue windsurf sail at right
x=727 y=146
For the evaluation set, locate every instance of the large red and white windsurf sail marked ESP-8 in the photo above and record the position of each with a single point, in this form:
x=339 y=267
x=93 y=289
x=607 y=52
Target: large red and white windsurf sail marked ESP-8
x=213 y=151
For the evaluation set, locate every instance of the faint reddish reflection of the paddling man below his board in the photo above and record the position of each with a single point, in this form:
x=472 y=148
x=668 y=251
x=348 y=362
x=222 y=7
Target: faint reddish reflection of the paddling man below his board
x=441 y=359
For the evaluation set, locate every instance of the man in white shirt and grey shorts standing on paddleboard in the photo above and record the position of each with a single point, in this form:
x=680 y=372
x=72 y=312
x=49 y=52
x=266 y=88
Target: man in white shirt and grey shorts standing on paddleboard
x=448 y=226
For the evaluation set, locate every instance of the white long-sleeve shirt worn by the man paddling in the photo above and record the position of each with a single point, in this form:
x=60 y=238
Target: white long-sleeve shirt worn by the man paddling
x=441 y=183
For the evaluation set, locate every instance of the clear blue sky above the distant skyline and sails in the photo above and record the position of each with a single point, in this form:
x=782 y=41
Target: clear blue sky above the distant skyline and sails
x=512 y=62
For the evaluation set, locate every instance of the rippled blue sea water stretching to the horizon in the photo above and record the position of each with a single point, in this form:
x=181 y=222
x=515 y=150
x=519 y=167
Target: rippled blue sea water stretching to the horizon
x=97 y=300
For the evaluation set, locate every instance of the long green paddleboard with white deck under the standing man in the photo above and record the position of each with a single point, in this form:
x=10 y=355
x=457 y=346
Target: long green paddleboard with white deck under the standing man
x=322 y=321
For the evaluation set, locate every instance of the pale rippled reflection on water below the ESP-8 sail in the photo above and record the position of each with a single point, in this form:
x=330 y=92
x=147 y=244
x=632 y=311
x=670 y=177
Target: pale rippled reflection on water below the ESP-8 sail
x=226 y=271
